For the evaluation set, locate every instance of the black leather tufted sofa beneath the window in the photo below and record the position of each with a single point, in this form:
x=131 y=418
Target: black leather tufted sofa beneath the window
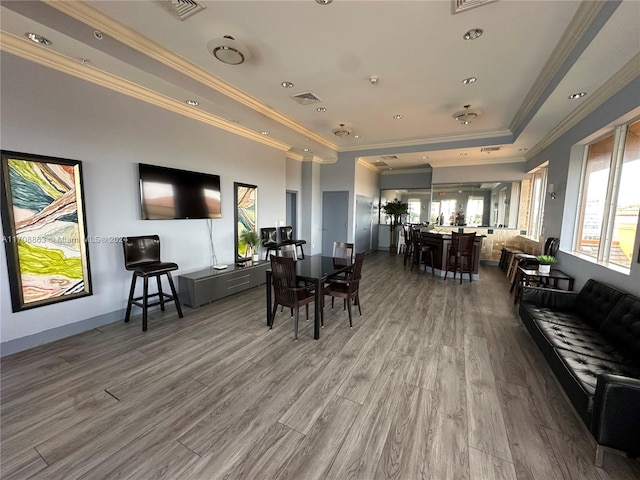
x=591 y=341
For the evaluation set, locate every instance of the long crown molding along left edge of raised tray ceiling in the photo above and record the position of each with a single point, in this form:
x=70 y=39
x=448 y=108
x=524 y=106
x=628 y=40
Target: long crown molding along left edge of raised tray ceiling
x=95 y=19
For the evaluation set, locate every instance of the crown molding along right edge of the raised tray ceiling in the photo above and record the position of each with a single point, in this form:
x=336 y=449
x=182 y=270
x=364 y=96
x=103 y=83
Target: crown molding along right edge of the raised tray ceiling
x=581 y=21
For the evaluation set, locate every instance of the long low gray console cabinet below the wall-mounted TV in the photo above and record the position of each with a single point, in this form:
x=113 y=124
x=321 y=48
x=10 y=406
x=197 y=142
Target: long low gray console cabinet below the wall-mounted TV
x=207 y=285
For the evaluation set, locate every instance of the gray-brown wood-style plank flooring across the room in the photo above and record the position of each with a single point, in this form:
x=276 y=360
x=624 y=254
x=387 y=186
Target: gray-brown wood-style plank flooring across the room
x=436 y=380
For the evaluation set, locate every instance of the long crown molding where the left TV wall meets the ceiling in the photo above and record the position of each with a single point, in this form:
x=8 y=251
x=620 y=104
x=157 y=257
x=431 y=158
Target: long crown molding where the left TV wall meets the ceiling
x=38 y=54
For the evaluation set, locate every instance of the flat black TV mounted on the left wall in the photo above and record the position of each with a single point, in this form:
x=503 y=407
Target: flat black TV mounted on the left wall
x=169 y=193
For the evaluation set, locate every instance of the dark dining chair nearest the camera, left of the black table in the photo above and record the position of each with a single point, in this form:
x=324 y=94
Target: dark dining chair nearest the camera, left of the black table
x=286 y=290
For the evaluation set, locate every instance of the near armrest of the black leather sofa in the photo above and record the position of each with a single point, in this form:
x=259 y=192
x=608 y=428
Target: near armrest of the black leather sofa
x=615 y=420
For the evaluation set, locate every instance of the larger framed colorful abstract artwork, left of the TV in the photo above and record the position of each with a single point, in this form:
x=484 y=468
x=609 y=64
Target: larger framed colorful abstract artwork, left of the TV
x=44 y=229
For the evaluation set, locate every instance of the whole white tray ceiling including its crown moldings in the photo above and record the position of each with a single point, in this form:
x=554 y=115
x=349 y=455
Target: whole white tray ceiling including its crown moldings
x=531 y=57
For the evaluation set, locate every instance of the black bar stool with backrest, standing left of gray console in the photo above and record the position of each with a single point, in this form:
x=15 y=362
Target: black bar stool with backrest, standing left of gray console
x=142 y=257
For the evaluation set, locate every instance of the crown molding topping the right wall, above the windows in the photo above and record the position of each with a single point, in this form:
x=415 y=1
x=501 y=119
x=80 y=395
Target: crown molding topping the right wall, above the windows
x=629 y=72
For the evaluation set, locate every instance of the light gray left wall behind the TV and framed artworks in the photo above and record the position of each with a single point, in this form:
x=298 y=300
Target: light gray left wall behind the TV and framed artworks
x=49 y=113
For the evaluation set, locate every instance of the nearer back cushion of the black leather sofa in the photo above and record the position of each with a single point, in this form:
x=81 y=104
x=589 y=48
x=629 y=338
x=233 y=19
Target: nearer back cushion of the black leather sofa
x=622 y=326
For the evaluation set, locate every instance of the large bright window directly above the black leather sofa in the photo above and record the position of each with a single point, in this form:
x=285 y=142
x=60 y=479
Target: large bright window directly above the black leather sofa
x=610 y=200
